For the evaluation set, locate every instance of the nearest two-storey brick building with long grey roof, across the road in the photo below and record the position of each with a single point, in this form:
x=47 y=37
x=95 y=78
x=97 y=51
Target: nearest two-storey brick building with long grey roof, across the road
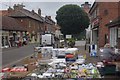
x=30 y=20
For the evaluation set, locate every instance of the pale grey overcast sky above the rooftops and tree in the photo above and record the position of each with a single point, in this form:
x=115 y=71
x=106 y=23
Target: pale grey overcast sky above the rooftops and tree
x=47 y=8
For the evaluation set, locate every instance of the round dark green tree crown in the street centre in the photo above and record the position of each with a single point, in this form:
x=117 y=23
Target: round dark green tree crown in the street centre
x=72 y=19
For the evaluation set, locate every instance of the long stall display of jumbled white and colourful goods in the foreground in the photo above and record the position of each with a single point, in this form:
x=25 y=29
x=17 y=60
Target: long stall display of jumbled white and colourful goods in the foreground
x=64 y=67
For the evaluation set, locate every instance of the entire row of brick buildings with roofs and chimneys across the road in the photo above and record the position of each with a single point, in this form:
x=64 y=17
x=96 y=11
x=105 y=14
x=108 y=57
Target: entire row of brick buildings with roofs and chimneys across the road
x=33 y=22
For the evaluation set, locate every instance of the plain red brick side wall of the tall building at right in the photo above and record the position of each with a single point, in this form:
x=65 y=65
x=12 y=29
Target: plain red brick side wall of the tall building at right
x=108 y=11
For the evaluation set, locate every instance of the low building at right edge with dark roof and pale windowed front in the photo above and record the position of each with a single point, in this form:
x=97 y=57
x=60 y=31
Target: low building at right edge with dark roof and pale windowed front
x=114 y=29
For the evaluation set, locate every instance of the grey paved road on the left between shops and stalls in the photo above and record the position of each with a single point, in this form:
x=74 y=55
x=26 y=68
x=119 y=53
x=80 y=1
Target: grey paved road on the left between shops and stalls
x=12 y=55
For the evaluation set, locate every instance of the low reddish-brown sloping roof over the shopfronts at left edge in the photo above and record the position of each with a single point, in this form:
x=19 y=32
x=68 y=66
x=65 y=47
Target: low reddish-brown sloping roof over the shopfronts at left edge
x=12 y=24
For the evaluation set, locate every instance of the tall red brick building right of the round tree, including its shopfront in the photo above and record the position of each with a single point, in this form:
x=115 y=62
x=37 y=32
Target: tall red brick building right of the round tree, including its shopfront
x=102 y=13
